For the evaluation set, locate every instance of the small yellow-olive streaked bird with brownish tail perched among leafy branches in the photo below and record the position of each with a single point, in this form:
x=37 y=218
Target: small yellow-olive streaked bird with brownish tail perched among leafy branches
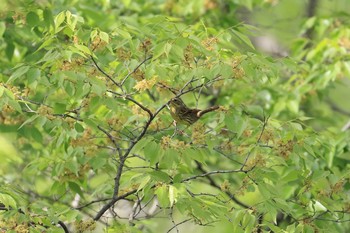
x=184 y=115
